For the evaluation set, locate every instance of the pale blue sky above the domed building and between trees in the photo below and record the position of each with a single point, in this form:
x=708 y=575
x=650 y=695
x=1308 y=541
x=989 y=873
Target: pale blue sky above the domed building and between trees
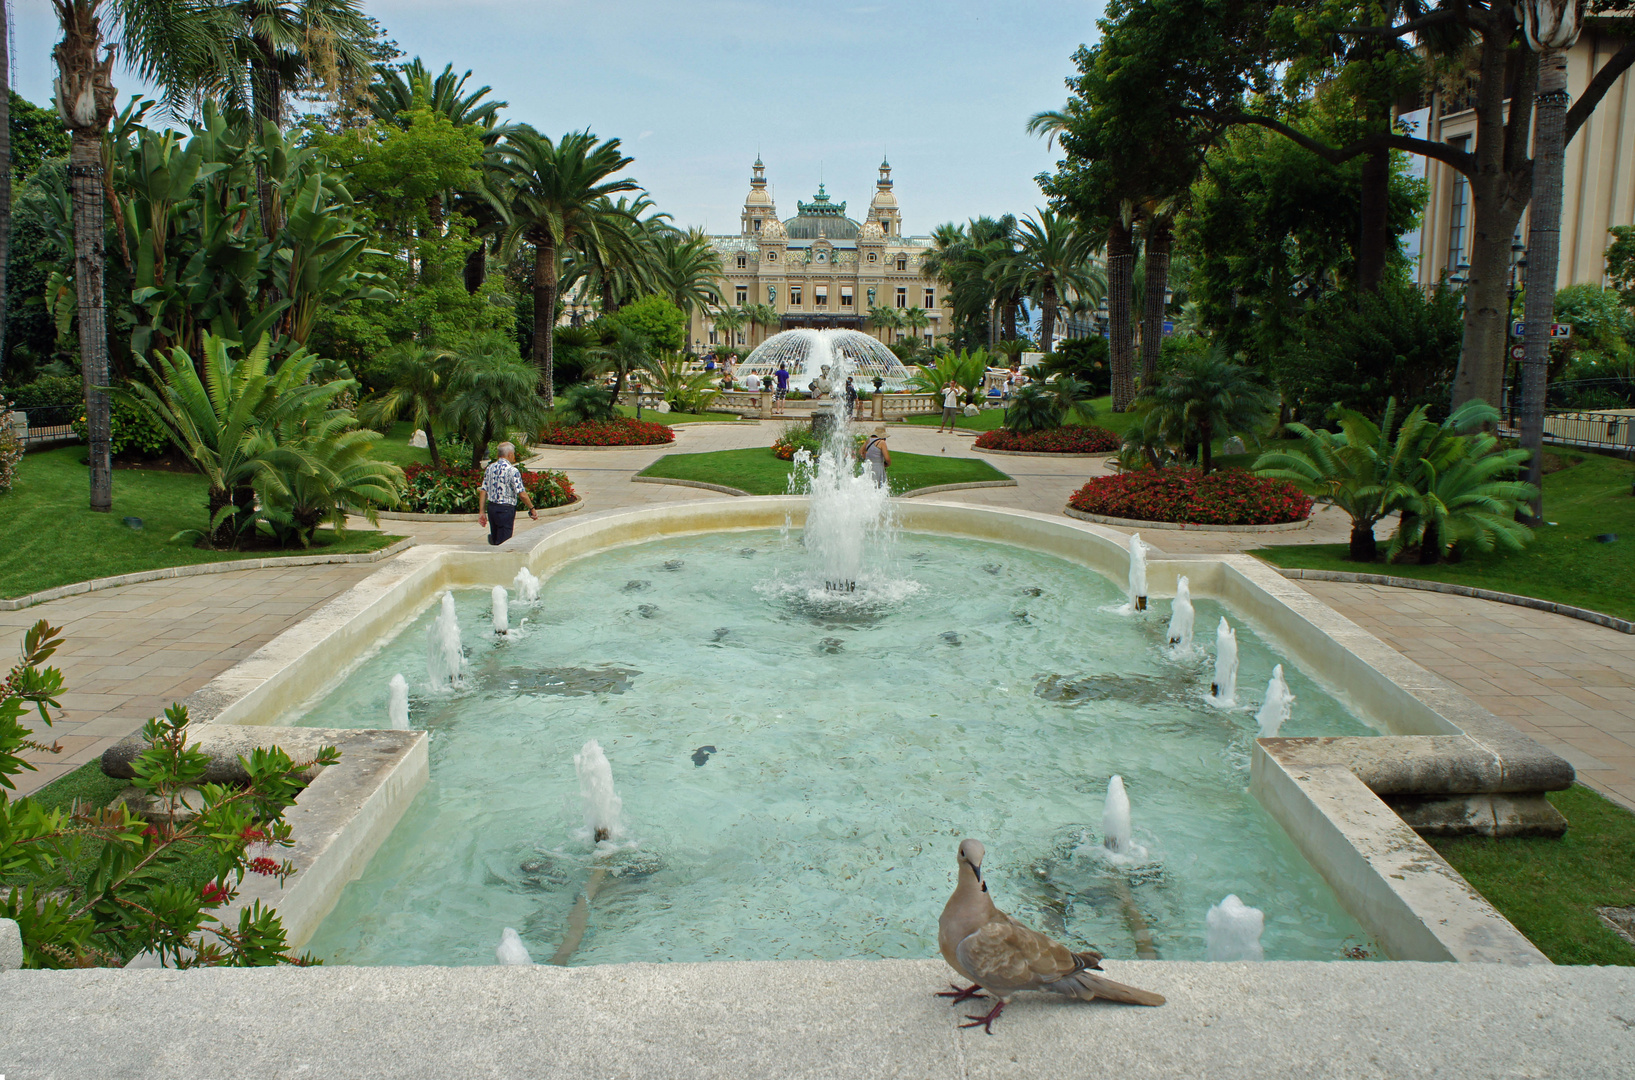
x=697 y=89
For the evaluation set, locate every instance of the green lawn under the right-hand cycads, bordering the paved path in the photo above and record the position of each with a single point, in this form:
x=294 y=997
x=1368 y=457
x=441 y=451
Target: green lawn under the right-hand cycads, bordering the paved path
x=1564 y=563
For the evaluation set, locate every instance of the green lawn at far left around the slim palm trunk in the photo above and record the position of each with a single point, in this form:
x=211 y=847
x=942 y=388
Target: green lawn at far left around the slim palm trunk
x=48 y=537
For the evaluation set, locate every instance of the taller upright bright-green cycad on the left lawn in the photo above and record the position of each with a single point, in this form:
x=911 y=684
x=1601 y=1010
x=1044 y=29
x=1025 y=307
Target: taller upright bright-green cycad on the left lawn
x=226 y=424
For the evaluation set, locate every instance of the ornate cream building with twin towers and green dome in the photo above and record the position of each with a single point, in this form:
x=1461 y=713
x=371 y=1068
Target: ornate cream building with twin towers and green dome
x=822 y=269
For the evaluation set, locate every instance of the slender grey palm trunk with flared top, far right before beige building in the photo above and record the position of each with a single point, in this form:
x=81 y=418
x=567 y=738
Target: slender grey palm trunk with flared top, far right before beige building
x=1552 y=27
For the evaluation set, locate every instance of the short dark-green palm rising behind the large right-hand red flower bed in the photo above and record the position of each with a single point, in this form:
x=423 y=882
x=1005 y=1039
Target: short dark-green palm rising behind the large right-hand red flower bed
x=1204 y=398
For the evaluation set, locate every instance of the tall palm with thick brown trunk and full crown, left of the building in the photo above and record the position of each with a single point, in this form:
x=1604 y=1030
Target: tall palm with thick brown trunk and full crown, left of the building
x=552 y=199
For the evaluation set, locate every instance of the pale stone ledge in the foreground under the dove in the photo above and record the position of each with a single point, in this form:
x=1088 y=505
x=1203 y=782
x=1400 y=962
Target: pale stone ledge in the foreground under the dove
x=848 y=1020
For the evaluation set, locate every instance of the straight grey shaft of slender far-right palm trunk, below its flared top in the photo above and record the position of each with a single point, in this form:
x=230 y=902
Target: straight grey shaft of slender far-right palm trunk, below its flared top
x=1544 y=243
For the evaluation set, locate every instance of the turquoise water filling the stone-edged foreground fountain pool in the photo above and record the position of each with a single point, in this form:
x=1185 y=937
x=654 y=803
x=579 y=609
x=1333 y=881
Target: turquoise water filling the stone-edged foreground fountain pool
x=988 y=692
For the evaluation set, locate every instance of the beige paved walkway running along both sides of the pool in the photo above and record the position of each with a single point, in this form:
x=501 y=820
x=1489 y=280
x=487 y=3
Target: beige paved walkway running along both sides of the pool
x=132 y=651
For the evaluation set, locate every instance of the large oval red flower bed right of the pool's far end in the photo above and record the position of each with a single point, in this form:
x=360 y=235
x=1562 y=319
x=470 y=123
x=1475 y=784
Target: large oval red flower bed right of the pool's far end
x=1183 y=496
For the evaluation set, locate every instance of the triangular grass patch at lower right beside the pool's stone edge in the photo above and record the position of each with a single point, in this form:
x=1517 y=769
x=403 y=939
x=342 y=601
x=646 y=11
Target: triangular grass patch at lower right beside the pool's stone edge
x=1552 y=888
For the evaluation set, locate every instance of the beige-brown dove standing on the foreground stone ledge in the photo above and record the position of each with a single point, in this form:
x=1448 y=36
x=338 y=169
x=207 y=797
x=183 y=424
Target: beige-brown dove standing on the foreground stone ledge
x=1000 y=955
